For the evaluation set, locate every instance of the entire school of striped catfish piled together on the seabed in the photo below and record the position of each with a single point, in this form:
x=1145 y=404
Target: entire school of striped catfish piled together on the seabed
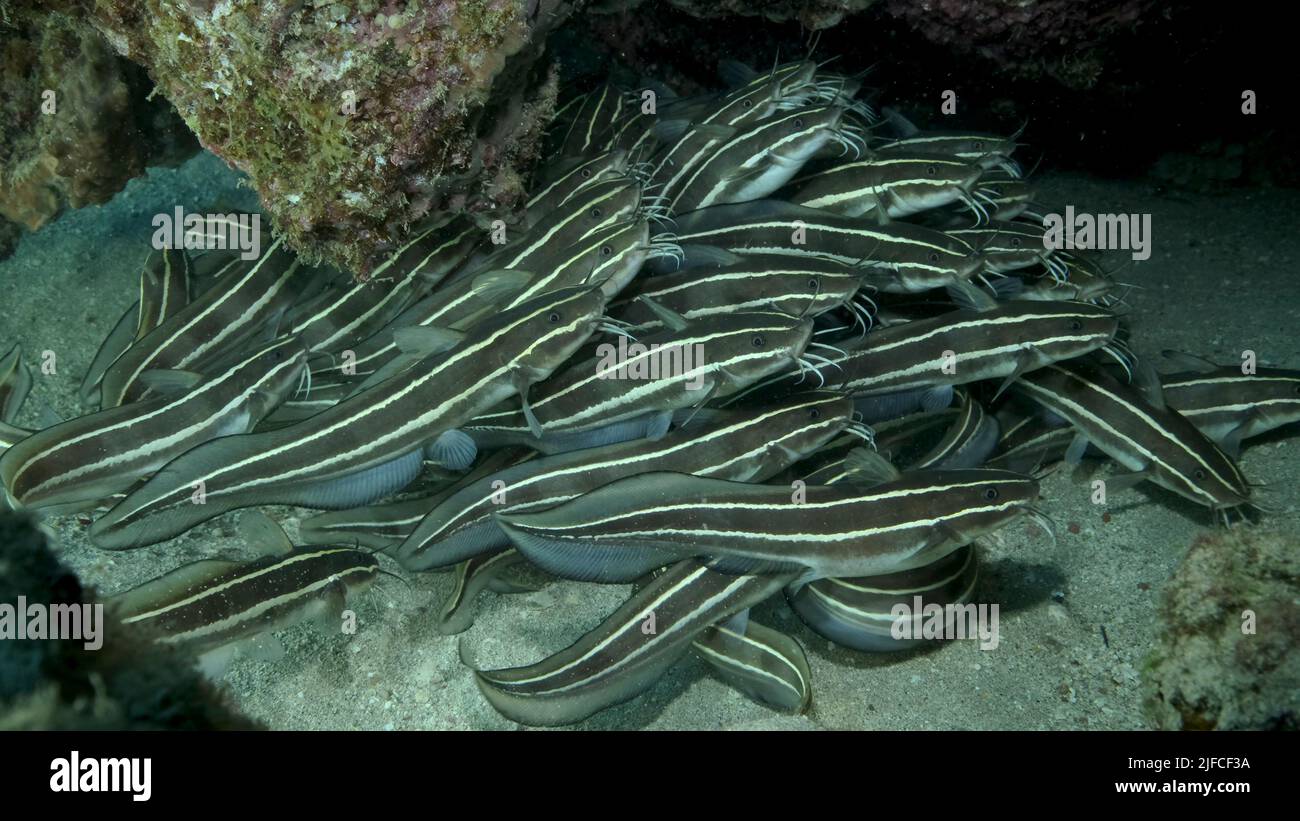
x=766 y=342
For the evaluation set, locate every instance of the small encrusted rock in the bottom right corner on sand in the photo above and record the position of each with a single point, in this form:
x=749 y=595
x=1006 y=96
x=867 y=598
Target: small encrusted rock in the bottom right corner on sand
x=1214 y=667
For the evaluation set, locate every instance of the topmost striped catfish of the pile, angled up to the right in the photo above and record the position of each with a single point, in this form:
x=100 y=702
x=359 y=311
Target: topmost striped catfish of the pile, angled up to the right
x=694 y=134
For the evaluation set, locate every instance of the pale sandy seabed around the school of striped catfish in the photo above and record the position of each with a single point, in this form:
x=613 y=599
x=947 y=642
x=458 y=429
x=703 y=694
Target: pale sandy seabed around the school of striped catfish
x=1077 y=616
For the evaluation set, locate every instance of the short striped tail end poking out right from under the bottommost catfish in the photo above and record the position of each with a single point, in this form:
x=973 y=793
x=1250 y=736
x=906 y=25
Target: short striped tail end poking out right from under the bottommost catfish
x=765 y=664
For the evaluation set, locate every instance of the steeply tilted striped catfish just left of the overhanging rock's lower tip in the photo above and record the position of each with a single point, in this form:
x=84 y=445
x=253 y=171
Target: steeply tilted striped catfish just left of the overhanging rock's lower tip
x=222 y=319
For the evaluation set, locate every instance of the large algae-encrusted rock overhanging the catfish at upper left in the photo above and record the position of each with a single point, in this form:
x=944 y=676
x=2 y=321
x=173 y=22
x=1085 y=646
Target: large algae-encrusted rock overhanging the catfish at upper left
x=353 y=120
